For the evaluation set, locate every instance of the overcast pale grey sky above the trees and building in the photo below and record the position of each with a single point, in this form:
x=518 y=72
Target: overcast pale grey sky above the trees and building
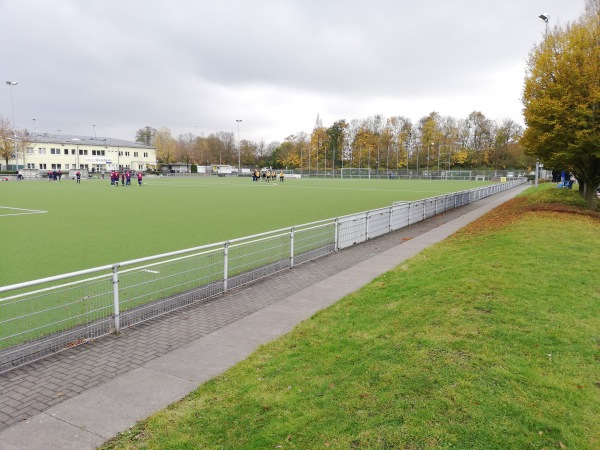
x=275 y=64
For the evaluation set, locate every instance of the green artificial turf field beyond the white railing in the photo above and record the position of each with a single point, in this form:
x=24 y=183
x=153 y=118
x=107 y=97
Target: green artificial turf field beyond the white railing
x=50 y=228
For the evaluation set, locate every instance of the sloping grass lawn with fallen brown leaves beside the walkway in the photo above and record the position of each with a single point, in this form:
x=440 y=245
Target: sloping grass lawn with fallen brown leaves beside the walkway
x=489 y=339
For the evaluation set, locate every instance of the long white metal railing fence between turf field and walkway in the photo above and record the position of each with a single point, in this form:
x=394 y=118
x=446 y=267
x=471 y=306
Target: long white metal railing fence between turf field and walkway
x=45 y=316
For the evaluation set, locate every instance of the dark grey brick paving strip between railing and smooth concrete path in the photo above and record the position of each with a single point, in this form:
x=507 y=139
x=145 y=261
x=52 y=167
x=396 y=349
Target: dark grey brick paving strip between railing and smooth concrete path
x=27 y=390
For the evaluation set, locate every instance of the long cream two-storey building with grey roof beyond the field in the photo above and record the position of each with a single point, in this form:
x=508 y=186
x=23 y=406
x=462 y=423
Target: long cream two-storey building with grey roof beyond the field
x=47 y=151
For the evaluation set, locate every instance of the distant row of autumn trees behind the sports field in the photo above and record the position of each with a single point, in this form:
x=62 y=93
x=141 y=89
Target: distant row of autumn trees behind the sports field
x=433 y=143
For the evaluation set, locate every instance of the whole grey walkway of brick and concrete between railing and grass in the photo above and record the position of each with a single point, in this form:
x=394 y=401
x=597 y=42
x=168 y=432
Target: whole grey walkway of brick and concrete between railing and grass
x=81 y=397
